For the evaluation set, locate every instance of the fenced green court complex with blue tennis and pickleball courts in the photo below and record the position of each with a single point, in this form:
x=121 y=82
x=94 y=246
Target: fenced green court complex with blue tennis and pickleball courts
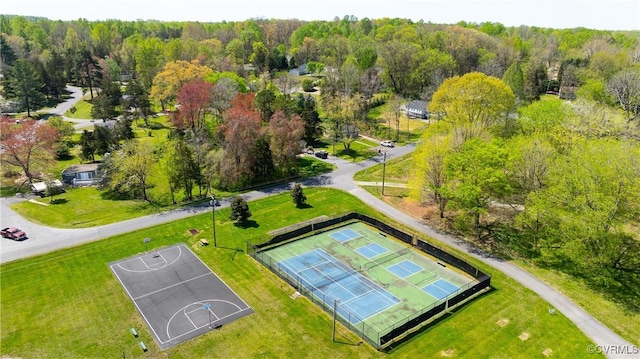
x=378 y=285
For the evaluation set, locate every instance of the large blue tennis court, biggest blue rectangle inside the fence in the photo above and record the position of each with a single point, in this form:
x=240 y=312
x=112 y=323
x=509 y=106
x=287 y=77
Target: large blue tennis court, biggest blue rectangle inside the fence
x=329 y=279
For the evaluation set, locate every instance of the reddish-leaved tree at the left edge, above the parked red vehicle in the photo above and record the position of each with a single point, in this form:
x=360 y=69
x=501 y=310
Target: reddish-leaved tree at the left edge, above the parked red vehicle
x=29 y=146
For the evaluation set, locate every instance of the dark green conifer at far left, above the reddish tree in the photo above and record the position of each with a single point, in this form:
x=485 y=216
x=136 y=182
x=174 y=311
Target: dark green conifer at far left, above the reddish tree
x=25 y=86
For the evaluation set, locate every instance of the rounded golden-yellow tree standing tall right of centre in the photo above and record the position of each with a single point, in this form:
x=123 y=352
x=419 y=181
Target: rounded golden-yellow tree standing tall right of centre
x=474 y=103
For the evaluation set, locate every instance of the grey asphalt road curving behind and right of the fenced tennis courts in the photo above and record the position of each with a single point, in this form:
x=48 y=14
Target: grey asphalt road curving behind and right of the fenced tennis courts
x=45 y=239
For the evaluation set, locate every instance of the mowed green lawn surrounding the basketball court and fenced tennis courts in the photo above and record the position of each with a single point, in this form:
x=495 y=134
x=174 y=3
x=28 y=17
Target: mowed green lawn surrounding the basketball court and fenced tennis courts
x=68 y=304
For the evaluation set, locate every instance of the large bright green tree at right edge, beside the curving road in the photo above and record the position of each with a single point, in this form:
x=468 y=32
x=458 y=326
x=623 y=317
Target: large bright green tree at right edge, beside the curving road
x=580 y=218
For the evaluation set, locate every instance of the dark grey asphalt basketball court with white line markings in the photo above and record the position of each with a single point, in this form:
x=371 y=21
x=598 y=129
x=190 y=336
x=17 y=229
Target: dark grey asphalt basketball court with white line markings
x=178 y=296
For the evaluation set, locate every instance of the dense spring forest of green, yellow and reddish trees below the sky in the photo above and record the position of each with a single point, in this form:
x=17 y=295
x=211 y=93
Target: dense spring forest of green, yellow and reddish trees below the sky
x=541 y=123
